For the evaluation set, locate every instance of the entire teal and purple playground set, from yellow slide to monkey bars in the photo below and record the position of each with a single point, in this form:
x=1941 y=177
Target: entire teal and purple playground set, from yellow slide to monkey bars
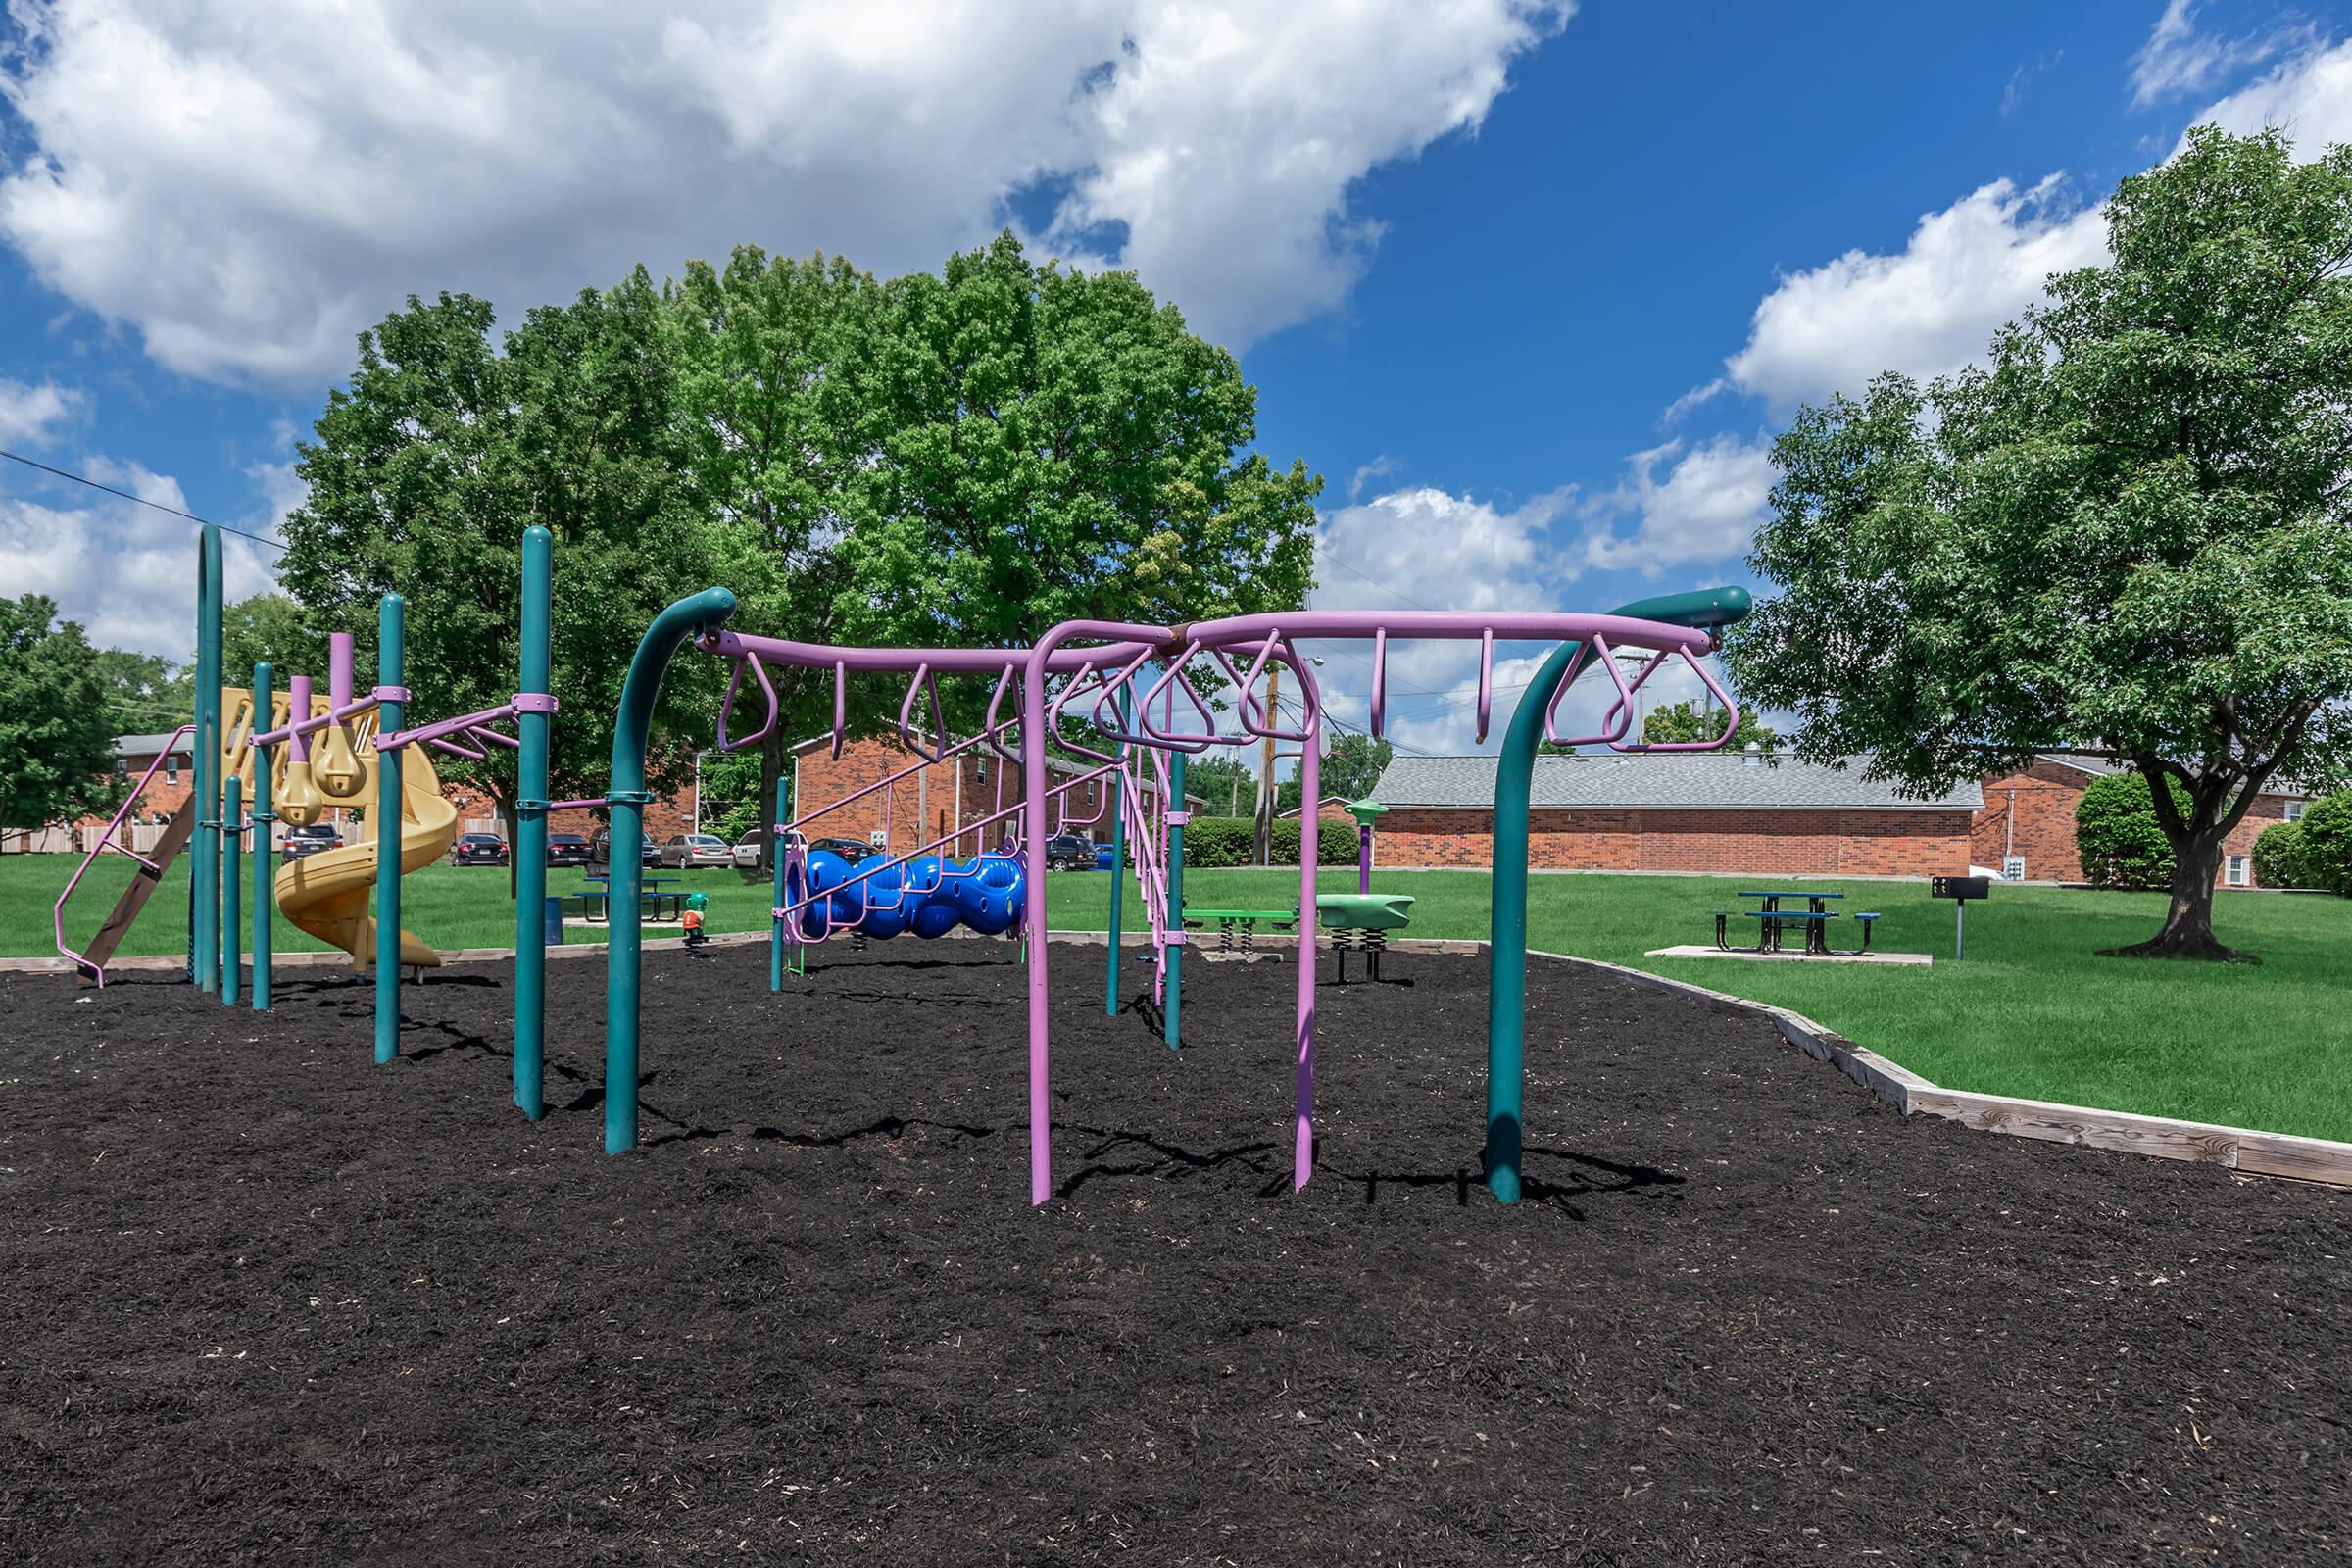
x=1132 y=683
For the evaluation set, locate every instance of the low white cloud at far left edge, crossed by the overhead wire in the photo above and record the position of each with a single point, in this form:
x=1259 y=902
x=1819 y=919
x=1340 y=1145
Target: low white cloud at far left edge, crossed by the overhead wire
x=123 y=570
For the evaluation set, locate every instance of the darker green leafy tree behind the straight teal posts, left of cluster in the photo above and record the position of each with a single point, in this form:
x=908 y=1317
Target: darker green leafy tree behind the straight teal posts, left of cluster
x=427 y=469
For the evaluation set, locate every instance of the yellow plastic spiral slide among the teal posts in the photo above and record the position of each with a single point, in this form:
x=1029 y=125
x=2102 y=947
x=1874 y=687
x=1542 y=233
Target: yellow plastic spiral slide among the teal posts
x=328 y=892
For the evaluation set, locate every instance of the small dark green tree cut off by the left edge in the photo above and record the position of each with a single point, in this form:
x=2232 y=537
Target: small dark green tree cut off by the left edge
x=58 y=721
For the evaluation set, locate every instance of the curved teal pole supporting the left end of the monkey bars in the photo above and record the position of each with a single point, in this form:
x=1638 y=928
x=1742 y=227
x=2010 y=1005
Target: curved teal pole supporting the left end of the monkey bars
x=627 y=798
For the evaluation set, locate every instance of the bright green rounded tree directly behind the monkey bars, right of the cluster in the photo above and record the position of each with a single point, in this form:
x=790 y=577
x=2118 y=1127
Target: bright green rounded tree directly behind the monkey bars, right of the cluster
x=1043 y=445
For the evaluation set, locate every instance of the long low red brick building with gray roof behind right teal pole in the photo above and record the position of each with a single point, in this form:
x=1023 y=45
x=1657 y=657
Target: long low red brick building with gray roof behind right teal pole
x=1678 y=812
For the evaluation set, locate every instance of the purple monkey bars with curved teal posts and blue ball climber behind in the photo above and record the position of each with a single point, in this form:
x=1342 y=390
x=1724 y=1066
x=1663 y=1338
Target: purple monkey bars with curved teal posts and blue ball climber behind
x=1137 y=692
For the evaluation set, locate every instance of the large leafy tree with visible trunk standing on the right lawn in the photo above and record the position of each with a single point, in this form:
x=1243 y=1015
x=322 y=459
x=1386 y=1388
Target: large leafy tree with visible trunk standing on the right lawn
x=2127 y=530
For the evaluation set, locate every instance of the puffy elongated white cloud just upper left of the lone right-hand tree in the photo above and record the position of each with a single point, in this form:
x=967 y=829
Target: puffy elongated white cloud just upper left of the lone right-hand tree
x=1927 y=309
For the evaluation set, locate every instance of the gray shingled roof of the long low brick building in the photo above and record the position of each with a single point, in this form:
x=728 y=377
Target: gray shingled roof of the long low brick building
x=1662 y=779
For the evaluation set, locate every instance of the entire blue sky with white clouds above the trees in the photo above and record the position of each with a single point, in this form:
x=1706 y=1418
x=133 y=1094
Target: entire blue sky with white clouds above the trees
x=1532 y=286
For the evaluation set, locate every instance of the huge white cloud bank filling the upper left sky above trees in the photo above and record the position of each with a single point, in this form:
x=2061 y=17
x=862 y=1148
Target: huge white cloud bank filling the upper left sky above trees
x=305 y=168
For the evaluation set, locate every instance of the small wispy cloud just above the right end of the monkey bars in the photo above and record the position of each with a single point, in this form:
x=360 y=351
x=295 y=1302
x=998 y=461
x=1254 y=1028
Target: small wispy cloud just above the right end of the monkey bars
x=1706 y=509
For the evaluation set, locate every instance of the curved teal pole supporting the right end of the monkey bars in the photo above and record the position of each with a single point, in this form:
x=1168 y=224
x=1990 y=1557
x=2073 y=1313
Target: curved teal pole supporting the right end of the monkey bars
x=1506 y=956
